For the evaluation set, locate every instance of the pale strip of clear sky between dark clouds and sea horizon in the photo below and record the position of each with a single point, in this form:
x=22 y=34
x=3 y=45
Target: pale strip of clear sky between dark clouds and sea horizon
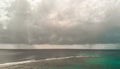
x=48 y=46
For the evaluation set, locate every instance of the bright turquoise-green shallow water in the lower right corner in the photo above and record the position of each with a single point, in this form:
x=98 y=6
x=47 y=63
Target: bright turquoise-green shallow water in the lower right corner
x=93 y=63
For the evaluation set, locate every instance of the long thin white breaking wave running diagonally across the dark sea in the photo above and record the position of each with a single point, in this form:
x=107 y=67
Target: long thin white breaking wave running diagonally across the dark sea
x=48 y=59
